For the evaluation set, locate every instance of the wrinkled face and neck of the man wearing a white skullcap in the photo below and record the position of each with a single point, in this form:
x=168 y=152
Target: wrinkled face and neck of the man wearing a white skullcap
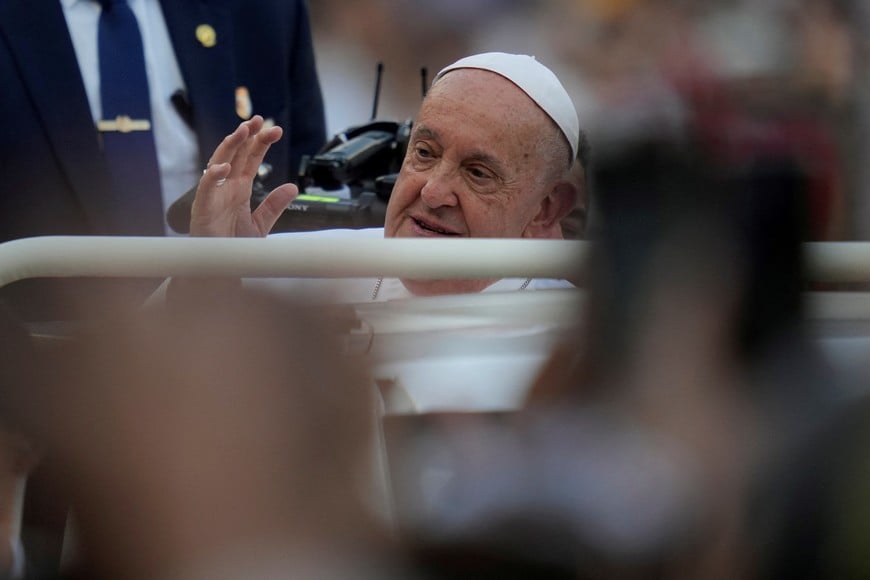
x=474 y=167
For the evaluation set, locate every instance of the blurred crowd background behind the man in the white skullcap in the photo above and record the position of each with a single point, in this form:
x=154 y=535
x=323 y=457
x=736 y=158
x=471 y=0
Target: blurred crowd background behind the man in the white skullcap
x=738 y=76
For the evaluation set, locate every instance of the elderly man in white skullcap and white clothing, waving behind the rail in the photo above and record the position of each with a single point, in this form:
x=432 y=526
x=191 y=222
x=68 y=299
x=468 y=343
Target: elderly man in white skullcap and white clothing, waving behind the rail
x=489 y=156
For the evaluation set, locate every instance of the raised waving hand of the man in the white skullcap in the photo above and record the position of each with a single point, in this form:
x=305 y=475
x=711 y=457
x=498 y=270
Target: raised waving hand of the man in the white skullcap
x=222 y=206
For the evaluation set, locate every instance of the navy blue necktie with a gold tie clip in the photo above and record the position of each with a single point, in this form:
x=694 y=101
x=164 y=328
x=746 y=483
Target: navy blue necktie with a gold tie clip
x=128 y=142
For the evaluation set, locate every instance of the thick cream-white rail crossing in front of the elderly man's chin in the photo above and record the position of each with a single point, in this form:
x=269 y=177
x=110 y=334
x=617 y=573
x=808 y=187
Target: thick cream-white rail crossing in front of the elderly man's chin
x=104 y=256
